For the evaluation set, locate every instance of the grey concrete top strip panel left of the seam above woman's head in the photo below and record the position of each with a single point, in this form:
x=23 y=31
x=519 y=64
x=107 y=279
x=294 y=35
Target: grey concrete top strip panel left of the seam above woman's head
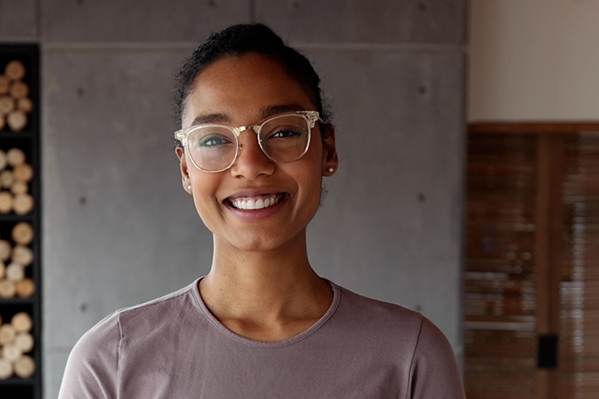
x=138 y=20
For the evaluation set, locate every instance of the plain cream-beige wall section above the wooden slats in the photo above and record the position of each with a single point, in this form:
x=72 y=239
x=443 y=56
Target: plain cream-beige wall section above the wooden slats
x=533 y=60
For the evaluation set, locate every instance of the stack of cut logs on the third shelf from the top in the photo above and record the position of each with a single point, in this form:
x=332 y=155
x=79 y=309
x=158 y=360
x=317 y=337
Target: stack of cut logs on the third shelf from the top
x=14 y=259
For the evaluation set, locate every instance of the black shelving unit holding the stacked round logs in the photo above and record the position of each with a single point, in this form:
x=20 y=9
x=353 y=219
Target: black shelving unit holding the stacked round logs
x=28 y=140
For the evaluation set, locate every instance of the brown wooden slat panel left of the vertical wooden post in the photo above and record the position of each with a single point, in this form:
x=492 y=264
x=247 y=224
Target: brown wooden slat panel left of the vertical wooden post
x=500 y=273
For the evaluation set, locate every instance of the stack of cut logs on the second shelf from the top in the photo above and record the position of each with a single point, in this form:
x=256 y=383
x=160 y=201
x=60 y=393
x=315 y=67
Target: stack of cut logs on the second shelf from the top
x=15 y=175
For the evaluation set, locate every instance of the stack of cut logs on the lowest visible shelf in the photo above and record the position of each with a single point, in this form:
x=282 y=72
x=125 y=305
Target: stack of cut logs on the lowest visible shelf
x=15 y=342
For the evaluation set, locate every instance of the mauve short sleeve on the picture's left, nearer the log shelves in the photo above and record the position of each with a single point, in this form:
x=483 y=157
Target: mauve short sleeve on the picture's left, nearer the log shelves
x=91 y=371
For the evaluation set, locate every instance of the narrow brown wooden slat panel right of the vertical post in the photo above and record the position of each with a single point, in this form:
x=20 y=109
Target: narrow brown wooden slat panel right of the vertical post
x=579 y=287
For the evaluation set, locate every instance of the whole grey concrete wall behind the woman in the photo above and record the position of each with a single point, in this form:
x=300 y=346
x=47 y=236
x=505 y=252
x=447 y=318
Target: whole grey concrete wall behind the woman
x=119 y=230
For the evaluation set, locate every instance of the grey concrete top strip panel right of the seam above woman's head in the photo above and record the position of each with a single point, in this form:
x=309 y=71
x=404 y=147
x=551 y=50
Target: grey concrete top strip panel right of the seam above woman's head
x=363 y=21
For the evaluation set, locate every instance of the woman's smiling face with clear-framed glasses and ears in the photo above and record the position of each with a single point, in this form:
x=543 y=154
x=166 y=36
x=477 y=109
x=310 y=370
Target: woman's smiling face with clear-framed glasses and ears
x=257 y=202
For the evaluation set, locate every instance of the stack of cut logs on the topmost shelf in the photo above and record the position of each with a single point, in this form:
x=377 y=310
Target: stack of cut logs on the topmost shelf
x=15 y=103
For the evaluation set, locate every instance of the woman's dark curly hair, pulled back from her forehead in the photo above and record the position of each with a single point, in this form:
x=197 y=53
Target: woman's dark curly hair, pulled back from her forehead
x=251 y=38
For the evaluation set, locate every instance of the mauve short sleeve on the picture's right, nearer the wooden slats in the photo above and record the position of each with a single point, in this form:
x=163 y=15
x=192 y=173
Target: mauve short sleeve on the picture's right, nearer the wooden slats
x=434 y=373
